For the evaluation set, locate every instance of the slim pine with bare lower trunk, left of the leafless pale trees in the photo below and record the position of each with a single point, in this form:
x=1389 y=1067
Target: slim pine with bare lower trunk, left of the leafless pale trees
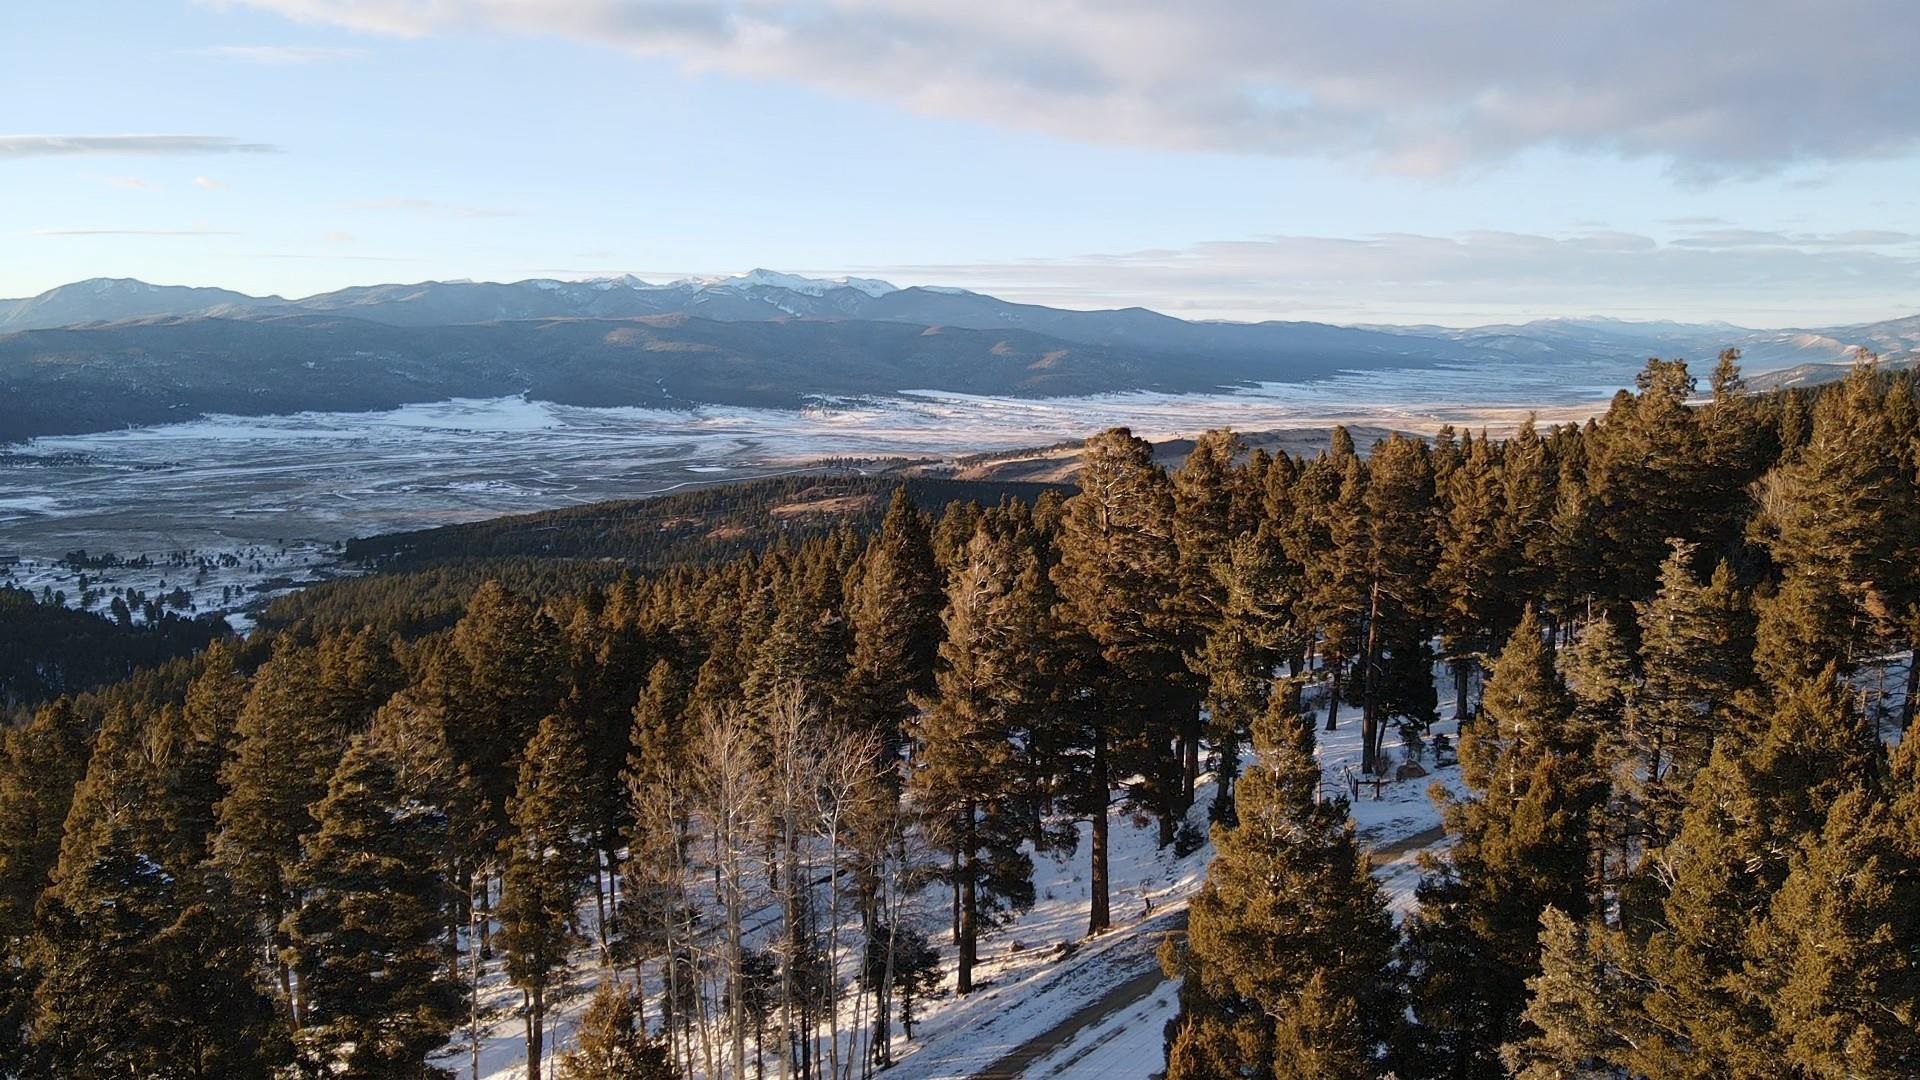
x=548 y=858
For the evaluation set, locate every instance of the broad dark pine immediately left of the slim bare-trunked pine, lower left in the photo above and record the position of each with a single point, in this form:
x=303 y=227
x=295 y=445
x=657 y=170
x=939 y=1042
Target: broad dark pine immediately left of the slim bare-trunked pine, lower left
x=368 y=939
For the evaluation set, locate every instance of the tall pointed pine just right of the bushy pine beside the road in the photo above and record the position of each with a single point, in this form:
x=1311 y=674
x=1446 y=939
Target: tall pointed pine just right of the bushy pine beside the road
x=1520 y=847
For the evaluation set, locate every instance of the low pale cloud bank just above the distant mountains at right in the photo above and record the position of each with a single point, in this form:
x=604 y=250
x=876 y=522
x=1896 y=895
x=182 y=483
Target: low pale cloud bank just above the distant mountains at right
x=1470 y=278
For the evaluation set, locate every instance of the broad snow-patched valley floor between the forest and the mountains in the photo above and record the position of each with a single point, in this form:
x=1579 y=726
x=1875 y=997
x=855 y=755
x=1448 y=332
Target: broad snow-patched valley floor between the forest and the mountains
x=224 y=481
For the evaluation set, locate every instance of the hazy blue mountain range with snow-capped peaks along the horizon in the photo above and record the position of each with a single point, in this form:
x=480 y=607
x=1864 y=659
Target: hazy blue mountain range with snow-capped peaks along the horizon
x=114 y=353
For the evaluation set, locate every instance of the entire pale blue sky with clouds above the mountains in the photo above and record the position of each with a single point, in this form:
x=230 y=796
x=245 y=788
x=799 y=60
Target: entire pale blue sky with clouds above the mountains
x=1364 y=162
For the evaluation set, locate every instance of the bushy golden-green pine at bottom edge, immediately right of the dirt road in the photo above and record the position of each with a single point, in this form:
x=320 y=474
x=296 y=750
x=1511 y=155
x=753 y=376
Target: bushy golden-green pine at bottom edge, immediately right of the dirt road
x=1289 y=925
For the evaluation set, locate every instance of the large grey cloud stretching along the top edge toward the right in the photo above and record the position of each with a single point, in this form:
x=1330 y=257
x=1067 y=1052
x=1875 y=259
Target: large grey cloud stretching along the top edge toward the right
x=1714 y=87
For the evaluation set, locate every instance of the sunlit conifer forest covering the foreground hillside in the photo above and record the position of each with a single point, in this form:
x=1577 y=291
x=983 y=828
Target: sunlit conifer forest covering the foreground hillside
x=1687 y=847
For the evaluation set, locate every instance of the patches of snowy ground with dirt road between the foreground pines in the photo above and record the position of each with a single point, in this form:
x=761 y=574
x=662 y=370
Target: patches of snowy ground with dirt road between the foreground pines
x=1042 y=970
